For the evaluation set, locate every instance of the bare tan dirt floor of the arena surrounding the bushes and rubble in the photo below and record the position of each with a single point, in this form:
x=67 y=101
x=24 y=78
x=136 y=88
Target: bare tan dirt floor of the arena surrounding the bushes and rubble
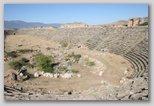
x=112 y=65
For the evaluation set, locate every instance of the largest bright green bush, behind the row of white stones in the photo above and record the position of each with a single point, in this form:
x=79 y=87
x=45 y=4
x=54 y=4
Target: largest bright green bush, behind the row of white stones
x=44 y=63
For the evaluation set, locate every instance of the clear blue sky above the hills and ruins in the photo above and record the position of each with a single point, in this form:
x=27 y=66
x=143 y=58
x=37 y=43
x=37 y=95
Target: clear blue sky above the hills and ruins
x=91 y=14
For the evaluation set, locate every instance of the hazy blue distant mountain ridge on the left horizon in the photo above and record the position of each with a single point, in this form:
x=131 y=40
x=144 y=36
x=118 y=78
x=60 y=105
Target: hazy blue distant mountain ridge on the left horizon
x=17 y=24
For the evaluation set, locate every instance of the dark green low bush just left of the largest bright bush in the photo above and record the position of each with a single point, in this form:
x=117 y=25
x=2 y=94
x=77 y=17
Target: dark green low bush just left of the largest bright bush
x=18 y=64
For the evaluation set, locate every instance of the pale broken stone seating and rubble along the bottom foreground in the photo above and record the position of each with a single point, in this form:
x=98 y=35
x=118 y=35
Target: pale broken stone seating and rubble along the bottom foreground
x=135 y=89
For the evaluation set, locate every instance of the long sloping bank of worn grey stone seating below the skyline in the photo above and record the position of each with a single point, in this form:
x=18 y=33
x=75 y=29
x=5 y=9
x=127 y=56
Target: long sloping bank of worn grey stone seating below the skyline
x=116 y=40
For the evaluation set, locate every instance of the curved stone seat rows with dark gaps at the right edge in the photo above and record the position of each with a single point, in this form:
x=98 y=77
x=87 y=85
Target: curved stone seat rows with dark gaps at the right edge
x=139 y=60
